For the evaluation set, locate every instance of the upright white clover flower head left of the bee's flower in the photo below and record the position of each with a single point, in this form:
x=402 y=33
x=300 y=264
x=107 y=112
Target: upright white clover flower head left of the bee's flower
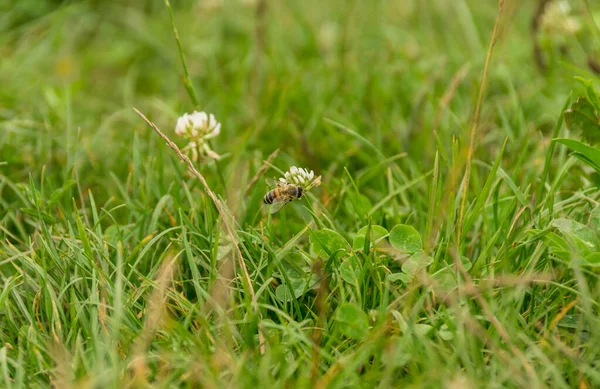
x=198 y=128
